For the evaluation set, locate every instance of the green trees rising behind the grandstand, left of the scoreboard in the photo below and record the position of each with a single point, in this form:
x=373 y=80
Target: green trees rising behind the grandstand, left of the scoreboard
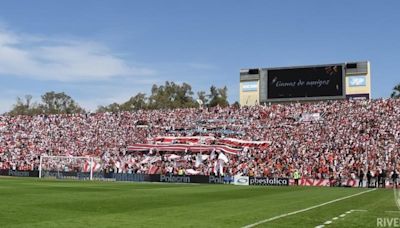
x=168 y=96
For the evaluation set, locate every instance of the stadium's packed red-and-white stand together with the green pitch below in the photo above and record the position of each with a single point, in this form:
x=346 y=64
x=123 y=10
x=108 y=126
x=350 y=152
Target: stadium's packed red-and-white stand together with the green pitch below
x=328 y=163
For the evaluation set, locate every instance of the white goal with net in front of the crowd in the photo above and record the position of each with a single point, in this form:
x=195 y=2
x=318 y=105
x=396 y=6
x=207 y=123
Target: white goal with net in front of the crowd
x=67 y=166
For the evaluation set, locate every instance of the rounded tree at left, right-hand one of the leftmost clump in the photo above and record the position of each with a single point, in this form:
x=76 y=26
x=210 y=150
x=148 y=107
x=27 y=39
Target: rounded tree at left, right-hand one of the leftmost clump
x=58 y=103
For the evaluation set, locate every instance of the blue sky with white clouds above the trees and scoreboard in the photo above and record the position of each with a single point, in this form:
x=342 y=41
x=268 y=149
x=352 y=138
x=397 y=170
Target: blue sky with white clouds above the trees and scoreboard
x=101 y=52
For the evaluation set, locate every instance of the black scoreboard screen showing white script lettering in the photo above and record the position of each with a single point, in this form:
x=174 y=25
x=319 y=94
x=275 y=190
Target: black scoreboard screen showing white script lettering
x=309 y=82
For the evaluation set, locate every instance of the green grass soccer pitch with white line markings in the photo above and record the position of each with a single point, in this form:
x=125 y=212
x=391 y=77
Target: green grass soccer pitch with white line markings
x=29 y=202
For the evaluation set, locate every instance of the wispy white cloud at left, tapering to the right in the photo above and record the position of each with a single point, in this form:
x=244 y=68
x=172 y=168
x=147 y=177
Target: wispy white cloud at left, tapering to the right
x=61 y=60
